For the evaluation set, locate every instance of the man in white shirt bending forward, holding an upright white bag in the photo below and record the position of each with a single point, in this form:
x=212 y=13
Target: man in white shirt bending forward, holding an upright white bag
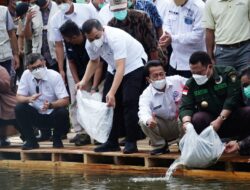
x=124 y=56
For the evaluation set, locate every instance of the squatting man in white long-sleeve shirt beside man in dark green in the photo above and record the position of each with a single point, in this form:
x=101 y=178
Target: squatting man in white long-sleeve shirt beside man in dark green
x=158 y=107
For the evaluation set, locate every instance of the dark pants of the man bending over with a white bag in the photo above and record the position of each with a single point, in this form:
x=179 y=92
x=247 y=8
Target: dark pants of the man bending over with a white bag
x=127 y=98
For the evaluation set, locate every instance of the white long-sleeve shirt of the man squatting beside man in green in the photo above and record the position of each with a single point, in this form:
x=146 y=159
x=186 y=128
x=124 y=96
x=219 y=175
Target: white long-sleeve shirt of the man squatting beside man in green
x=163 y=104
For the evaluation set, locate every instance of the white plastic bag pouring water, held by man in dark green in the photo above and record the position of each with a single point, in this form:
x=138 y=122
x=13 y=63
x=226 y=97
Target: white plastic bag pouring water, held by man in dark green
x=200 y=151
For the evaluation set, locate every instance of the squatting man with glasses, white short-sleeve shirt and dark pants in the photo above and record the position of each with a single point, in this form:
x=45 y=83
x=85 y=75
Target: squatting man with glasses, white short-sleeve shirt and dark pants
x=42 y=99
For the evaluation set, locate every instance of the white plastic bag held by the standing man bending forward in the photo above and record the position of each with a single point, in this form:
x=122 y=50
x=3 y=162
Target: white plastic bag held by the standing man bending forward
x=94 y=116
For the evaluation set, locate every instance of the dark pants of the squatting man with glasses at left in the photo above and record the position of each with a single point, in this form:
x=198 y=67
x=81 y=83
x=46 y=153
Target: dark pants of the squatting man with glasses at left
x=27 y=117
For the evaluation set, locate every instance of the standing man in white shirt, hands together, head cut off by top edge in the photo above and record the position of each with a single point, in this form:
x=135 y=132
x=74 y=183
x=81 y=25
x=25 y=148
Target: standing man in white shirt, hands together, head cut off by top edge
x=183 y=30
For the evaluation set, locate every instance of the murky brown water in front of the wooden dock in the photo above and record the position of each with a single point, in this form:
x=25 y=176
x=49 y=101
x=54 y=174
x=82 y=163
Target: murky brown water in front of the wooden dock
x=25 y=179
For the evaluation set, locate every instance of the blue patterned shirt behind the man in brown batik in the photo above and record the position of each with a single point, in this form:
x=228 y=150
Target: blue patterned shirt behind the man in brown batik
x=150 y=8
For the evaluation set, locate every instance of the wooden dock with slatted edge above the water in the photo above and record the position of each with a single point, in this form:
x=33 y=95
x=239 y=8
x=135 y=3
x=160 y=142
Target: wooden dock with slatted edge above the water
x=72 y=157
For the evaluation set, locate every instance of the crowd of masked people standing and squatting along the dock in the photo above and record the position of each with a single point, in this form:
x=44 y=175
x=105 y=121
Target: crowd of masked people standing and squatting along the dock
x=161 y=64
